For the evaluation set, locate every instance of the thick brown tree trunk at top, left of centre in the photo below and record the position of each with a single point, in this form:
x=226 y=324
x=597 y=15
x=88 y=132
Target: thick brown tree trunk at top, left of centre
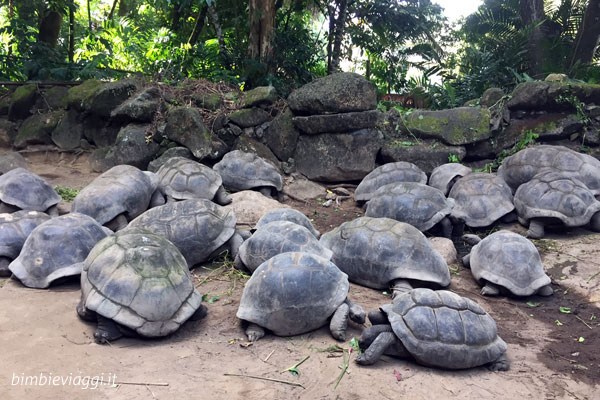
x=262 y=30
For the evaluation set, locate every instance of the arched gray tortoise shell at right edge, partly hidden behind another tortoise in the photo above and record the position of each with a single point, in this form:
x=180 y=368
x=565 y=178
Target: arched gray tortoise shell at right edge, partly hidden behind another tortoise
x=525 y=164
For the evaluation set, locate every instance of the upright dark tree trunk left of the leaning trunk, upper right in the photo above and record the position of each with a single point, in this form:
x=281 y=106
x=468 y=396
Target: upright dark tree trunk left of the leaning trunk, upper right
x=532 y=12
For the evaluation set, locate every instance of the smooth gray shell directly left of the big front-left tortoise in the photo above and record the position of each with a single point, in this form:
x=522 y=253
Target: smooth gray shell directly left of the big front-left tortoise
x=56 y=249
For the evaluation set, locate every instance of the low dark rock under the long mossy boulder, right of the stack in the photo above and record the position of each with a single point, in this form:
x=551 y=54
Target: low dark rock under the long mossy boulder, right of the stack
x=425 y=155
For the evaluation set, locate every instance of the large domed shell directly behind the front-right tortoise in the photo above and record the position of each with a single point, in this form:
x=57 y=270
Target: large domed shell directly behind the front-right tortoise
x=375 y=251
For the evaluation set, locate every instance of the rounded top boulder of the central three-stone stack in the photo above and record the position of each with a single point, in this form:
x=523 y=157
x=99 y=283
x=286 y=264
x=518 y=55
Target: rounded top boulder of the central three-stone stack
x=336 y=93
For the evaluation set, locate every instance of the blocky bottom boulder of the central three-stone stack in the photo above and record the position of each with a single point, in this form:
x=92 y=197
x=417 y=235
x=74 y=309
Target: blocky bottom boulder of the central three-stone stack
x=338 y=156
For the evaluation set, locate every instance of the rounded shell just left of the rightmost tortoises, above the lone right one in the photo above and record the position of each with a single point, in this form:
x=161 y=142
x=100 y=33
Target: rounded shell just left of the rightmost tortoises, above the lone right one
x=481 y=199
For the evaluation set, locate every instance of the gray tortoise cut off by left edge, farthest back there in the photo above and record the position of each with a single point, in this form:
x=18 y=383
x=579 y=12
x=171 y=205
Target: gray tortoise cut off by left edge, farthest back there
x=24 y=190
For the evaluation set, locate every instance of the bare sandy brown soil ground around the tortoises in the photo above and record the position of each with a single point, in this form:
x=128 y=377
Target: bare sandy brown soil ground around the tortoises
x=40 y=333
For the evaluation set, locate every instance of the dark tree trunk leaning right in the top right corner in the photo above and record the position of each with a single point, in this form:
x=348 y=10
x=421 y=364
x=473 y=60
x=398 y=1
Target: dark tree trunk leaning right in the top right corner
x=588 y=35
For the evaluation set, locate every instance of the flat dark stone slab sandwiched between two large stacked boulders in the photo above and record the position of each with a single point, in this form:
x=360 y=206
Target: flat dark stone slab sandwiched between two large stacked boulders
x=334 y=123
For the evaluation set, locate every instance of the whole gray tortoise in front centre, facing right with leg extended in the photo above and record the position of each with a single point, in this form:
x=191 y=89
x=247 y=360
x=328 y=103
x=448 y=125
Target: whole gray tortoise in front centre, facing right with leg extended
x=294 y=293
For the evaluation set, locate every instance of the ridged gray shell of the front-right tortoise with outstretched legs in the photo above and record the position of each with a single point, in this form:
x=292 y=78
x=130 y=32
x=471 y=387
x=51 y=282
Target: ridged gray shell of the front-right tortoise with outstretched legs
x=442 y=329
